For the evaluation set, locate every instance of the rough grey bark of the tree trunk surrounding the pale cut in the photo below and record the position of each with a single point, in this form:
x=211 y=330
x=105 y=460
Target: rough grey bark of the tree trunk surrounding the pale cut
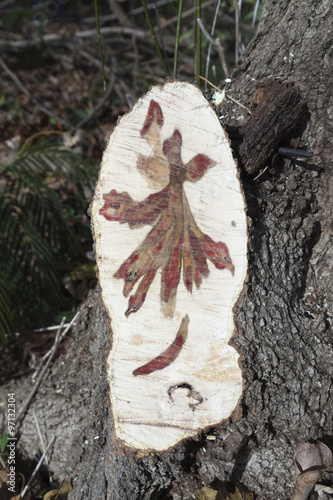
x=286 y=343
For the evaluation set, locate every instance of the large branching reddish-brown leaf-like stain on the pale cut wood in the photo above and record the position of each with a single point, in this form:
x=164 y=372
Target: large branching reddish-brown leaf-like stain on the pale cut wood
x=175 y=242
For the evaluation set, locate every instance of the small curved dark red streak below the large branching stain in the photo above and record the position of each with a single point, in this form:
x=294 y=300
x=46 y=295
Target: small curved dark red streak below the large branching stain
x=169 y=355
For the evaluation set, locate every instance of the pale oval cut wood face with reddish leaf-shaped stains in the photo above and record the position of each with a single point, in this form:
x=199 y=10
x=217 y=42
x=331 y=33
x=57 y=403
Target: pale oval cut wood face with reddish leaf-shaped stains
x=171 y=243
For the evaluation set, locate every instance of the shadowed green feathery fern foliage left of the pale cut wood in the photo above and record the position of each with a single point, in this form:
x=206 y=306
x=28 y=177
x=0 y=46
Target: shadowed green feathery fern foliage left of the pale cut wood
x=41 y=191
